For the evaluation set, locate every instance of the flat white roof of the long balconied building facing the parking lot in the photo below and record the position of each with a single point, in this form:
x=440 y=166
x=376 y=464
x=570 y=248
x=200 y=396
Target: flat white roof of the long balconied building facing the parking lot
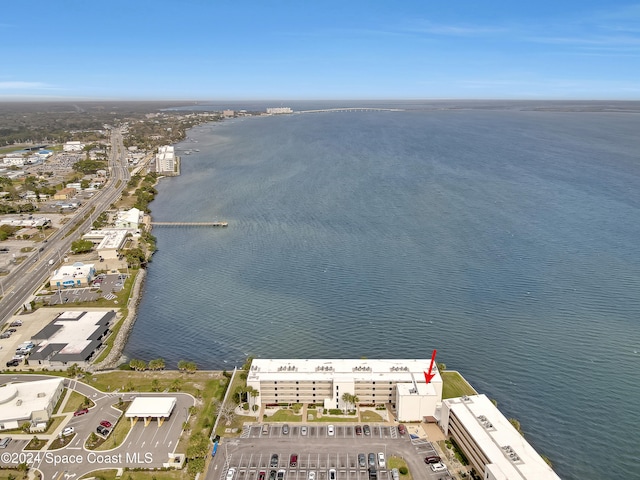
x=390 y=370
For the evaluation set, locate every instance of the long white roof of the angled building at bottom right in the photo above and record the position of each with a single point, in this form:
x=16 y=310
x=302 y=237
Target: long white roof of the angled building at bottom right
x=510 y=455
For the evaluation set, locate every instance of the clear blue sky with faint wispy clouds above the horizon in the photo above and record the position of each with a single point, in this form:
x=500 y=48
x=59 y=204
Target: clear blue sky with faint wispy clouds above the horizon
x=348 y=49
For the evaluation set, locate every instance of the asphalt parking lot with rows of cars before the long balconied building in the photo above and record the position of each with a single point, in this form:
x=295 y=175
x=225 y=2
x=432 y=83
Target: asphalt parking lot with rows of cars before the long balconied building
x=318 y=451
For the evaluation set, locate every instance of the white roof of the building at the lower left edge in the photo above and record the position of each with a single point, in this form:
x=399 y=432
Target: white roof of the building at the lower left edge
x=19 y=400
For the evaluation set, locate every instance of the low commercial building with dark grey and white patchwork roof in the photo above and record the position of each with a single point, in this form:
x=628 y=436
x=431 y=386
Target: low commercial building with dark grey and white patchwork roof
x=72 y=337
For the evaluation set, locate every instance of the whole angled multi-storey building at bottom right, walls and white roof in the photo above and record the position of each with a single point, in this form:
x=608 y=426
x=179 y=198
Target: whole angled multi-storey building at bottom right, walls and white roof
x=494 y=448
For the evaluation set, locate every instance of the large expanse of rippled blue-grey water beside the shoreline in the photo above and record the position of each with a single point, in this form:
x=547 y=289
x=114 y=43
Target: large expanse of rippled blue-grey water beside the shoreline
x=507 y=240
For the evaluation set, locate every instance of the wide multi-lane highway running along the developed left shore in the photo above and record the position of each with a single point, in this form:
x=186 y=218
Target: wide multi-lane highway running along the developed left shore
x=22 y=281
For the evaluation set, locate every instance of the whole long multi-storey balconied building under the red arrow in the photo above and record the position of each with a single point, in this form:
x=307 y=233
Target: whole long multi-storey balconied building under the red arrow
x=400 y=383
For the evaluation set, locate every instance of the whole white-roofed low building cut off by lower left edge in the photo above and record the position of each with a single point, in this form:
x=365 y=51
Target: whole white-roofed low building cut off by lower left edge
x=31 y=402
